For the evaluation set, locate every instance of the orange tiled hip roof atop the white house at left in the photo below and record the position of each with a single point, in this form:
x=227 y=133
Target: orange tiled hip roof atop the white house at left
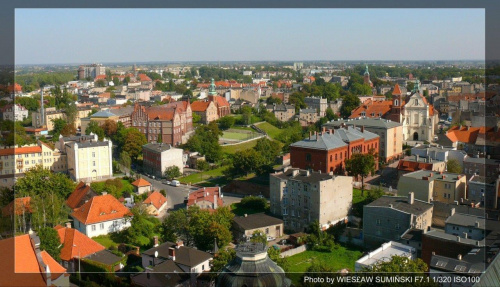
x=100 y=208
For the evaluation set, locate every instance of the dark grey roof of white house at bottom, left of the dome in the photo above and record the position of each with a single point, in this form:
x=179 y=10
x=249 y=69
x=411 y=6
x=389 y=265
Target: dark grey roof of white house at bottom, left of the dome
x=183 y=255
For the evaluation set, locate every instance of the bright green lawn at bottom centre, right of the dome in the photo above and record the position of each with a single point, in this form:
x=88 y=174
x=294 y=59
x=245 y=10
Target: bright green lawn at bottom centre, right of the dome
x=338 y=259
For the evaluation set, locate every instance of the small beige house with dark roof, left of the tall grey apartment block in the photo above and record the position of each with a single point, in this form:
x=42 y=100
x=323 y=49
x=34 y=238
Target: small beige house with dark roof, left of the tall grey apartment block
x=245 y=226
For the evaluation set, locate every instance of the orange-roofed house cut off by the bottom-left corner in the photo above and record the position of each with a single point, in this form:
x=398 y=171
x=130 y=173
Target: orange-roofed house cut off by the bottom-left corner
x=24 y=264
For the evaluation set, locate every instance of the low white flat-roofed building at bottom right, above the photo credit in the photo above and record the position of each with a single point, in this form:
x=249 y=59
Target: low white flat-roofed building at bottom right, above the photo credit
x=384 y=254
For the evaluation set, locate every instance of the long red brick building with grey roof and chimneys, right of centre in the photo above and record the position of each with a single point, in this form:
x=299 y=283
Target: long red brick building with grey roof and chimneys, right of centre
x=327 y=151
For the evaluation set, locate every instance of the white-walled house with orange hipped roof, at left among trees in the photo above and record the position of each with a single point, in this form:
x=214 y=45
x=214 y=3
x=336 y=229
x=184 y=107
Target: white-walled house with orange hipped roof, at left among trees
x=101 y=215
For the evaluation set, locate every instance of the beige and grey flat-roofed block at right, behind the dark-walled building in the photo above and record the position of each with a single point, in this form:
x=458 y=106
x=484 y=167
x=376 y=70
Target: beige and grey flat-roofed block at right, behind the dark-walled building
x=433 y=186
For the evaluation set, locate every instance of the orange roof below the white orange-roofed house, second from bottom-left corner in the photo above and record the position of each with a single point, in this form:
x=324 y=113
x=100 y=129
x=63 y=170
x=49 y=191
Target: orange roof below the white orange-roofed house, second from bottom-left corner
x=84 y=245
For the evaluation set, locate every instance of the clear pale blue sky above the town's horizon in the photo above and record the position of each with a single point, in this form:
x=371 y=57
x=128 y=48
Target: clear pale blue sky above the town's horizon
x=78 y=36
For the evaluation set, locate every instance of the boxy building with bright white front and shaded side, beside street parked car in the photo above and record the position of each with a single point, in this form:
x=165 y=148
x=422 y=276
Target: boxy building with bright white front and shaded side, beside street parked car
x=157 y=157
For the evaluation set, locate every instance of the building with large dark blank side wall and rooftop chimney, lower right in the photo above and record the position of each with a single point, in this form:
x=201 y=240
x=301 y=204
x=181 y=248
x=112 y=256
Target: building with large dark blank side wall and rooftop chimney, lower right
x=389 y=217
